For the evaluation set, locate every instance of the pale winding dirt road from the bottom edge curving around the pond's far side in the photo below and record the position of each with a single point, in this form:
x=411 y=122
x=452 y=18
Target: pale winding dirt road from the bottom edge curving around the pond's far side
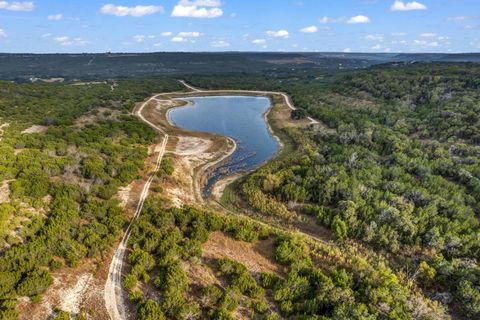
x=113 y=293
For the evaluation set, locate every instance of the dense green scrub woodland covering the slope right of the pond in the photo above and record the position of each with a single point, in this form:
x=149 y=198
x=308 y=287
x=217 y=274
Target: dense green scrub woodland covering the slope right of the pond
x=393 y=164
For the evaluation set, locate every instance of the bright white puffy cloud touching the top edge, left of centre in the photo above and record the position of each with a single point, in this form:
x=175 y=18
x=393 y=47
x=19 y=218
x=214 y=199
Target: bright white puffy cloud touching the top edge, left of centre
x=206 y=9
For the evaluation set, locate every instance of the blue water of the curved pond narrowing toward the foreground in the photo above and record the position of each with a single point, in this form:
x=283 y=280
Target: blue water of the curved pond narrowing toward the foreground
x=238 y=117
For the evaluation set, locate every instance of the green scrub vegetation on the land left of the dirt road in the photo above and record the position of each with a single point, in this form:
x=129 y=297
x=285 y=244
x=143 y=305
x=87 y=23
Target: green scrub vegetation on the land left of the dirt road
x=60 y=207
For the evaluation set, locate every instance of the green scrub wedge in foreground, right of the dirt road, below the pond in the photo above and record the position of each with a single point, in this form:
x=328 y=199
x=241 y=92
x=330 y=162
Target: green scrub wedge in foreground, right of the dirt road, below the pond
x=317 y=279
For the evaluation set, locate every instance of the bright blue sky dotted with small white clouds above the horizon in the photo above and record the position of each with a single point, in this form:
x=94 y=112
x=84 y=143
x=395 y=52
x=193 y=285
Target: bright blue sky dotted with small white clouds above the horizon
x=240 y=25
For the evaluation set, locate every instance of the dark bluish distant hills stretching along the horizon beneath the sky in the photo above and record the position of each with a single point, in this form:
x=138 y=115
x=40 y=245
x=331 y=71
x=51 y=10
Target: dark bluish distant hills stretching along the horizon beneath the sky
x=30 y=67
